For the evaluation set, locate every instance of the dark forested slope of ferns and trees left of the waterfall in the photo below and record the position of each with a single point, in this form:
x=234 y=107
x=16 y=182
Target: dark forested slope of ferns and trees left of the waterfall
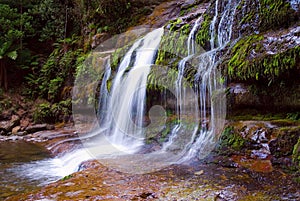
x=46 y=43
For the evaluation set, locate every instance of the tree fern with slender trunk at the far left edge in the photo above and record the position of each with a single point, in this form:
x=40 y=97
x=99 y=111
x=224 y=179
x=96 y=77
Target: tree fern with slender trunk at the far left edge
x=13 y=27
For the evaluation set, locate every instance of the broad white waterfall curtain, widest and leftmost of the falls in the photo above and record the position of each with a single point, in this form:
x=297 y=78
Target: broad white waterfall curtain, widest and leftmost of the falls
x=126 y=101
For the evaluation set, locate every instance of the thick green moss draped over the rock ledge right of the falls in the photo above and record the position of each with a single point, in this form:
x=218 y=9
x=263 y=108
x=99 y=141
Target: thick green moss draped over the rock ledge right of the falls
x=243 y=66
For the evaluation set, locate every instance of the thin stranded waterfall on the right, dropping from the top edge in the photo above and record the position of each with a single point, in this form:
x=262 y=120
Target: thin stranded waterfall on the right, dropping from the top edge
x=209 y=85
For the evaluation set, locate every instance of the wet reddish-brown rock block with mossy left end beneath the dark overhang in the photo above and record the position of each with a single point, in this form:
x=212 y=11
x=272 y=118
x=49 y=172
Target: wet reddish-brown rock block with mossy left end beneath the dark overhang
x=252 y=142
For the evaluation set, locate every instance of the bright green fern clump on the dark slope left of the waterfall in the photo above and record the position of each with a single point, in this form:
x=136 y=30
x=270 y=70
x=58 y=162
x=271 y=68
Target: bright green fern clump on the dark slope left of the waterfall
x=48 y=82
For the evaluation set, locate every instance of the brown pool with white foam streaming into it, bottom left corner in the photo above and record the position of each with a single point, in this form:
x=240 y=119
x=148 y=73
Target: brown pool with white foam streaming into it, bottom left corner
x=20 y=170
